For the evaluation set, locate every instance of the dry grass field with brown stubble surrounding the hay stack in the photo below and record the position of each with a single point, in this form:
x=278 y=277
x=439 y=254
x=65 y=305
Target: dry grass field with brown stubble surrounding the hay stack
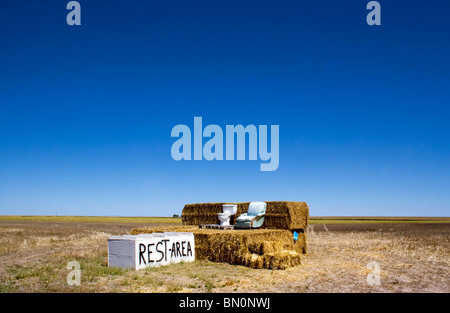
x=413 y=255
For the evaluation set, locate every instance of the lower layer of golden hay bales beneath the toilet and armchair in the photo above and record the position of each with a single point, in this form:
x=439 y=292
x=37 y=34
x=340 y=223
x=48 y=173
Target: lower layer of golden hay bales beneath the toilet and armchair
x=256 y=248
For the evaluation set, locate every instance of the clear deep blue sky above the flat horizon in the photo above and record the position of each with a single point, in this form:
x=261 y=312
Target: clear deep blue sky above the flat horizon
x=87 y=111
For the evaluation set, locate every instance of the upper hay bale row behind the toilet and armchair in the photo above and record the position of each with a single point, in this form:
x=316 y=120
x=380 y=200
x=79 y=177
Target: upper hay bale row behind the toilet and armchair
x=279 y=214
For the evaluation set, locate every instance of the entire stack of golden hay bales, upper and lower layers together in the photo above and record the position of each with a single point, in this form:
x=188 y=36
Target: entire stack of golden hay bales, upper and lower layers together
x=271 y=247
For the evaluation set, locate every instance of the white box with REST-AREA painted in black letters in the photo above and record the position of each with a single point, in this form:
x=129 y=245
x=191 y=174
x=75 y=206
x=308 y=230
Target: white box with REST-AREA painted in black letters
x=144 y=250
